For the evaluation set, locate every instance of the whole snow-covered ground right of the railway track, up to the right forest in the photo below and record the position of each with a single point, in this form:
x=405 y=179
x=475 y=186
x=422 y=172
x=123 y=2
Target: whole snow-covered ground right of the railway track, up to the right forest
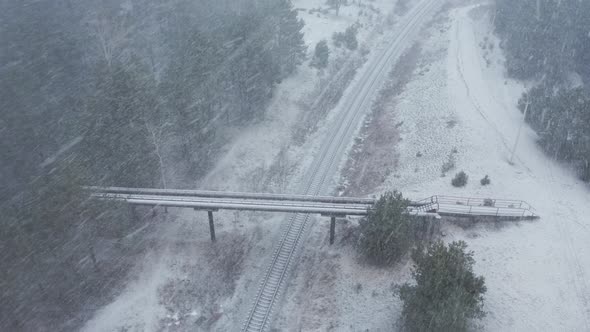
x=460 y=99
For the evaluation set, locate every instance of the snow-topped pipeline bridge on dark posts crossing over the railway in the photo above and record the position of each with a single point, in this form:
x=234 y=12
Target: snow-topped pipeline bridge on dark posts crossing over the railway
x=329 y=206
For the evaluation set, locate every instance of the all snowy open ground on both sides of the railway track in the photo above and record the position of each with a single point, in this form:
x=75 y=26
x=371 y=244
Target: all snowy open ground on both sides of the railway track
x=459 y=98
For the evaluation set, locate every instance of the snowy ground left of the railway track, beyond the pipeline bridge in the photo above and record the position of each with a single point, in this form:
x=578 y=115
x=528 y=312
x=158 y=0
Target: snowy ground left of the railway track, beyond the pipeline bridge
x=256 y=148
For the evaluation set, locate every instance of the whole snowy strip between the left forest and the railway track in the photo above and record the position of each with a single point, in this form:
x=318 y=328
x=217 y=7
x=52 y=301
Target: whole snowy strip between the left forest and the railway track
x=181 y=283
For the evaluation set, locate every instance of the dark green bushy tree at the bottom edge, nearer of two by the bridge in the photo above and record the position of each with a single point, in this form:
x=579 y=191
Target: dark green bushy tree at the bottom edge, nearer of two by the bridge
x=447 y=294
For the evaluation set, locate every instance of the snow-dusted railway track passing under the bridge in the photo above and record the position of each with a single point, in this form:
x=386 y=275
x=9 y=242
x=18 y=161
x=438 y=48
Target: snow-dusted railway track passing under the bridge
x=326 y=164
